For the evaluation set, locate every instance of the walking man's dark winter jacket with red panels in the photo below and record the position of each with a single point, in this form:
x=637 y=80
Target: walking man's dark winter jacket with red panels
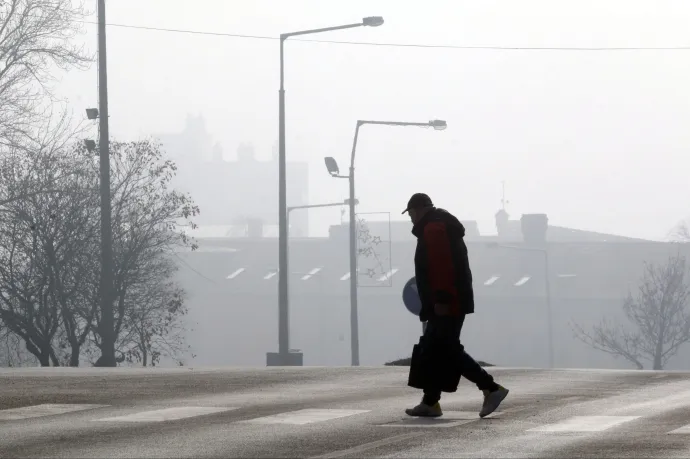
x=442 y=268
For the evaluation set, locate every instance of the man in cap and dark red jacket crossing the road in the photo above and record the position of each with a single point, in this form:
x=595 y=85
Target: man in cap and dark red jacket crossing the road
x=444 y=283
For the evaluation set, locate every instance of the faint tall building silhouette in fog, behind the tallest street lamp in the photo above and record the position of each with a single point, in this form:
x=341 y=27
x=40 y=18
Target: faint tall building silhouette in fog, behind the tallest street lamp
x=237 y=198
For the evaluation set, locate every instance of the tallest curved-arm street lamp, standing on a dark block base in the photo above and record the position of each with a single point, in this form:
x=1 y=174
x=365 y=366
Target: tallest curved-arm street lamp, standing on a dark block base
x=282 y=358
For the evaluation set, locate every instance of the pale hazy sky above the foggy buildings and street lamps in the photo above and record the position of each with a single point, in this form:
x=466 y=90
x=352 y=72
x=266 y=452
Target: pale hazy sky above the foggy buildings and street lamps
x=597 y=140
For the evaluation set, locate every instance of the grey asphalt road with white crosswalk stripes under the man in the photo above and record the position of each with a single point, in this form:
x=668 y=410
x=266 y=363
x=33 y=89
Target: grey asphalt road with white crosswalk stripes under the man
x=337 y=412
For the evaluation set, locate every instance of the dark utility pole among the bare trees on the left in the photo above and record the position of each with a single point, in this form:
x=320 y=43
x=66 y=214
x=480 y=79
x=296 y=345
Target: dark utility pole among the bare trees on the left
x=107 y=325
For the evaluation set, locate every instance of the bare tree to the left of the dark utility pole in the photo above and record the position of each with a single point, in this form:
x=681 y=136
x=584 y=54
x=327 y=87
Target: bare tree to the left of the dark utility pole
x=50 y=196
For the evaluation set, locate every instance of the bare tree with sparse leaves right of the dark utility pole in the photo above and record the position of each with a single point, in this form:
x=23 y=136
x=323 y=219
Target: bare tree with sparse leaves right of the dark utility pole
x=148 y=222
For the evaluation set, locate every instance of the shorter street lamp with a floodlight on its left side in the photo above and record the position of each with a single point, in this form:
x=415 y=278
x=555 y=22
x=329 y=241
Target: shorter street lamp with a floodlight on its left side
x=332 y=167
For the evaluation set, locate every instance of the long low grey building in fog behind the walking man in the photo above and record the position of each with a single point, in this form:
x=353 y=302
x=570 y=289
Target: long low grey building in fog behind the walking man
x=232 y=286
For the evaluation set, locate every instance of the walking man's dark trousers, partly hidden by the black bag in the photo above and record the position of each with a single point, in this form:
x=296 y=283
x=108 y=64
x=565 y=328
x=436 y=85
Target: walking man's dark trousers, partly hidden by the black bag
x=446 y=330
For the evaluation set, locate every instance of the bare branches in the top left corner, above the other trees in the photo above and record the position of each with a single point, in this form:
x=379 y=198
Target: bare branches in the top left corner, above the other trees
x=35 y=37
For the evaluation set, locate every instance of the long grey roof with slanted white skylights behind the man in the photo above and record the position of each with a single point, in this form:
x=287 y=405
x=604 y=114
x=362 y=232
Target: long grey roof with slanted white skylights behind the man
x=321 y=266
